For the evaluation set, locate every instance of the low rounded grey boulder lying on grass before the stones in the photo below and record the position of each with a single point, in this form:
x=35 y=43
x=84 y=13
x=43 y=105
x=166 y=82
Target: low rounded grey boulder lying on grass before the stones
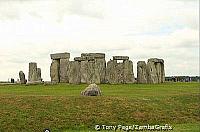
x=91 y=90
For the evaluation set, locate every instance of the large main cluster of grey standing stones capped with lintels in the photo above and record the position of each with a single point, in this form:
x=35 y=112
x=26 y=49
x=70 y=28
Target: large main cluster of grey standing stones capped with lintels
x=91 y=68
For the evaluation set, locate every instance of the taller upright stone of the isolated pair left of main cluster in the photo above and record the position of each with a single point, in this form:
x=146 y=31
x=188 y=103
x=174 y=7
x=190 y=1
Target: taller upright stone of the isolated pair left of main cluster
x=32 y=74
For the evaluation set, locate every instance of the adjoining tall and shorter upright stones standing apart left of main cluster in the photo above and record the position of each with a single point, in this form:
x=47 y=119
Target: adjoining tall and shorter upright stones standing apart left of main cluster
x=34 y=74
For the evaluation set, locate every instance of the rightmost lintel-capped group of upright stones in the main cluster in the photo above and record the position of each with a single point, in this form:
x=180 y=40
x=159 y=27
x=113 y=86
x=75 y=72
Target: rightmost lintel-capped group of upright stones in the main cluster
x=155 y=70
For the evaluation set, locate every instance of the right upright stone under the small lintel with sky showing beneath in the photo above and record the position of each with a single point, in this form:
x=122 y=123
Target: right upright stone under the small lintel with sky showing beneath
x=128 y=72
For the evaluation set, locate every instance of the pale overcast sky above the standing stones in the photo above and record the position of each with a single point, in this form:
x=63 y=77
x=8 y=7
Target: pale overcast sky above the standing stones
x=32 y=29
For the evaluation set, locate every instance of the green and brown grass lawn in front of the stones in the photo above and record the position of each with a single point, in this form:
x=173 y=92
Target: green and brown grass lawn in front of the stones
x=61 y=107
